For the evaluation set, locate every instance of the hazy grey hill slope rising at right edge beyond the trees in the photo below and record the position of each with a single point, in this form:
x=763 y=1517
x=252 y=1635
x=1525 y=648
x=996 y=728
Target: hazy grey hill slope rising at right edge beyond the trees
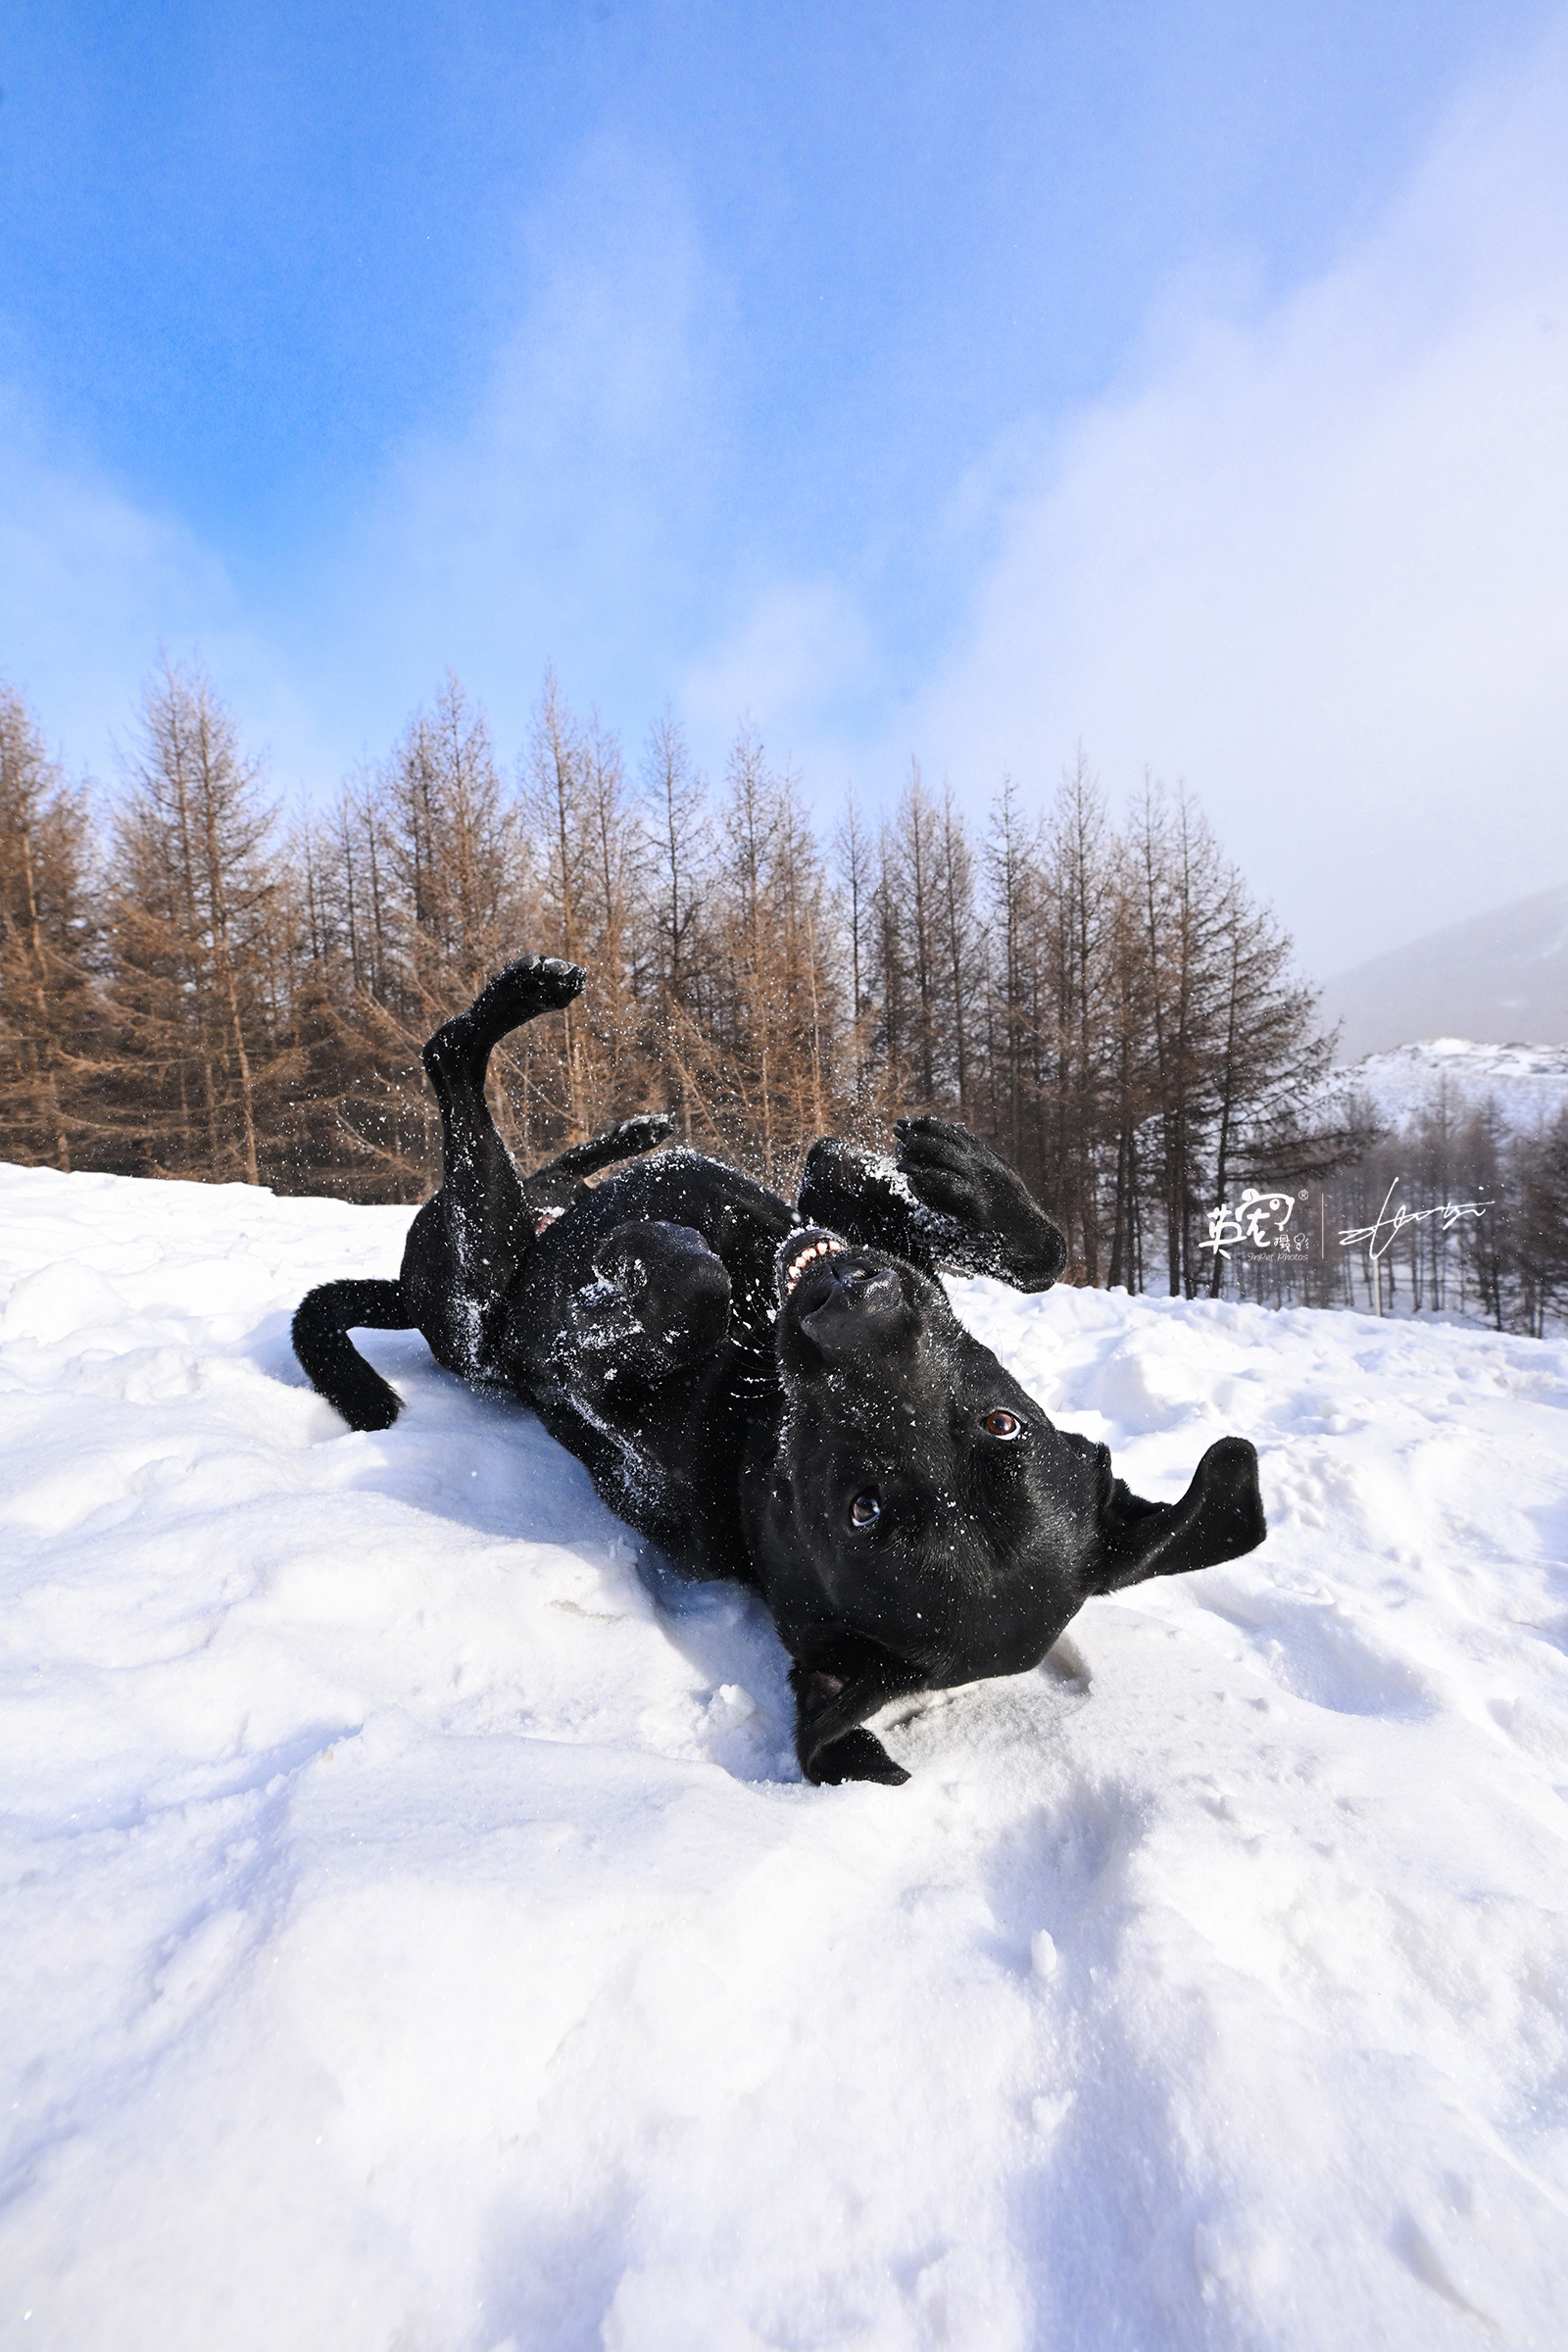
x=1501 y=977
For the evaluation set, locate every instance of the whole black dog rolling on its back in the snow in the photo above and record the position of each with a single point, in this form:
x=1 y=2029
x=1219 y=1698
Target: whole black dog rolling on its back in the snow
x=782 y=1396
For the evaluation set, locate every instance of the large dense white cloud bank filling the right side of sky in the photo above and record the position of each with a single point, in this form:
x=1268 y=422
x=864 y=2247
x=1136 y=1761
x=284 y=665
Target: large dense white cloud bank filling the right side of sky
x=1318 y=563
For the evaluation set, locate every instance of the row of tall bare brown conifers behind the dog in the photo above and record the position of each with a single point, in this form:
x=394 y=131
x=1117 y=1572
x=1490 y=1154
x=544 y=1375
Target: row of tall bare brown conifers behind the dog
x=194 y=984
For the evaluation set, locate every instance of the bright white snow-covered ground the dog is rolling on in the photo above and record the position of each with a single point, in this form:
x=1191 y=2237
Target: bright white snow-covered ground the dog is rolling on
x=417 y=1932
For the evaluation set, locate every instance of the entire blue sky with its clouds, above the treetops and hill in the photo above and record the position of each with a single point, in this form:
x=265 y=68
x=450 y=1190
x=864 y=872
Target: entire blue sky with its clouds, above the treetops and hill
x=1181 y=382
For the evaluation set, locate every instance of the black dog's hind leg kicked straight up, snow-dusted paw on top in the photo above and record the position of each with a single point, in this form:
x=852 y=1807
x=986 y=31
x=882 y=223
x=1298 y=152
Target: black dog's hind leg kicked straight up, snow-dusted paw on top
x=467 y=1248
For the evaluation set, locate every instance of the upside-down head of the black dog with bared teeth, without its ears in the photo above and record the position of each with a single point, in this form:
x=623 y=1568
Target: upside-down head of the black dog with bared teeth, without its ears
x=916 y=1495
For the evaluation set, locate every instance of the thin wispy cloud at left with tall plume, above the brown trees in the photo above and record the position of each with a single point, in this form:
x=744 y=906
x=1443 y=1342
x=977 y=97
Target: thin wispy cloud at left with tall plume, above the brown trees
x=547 y=526
